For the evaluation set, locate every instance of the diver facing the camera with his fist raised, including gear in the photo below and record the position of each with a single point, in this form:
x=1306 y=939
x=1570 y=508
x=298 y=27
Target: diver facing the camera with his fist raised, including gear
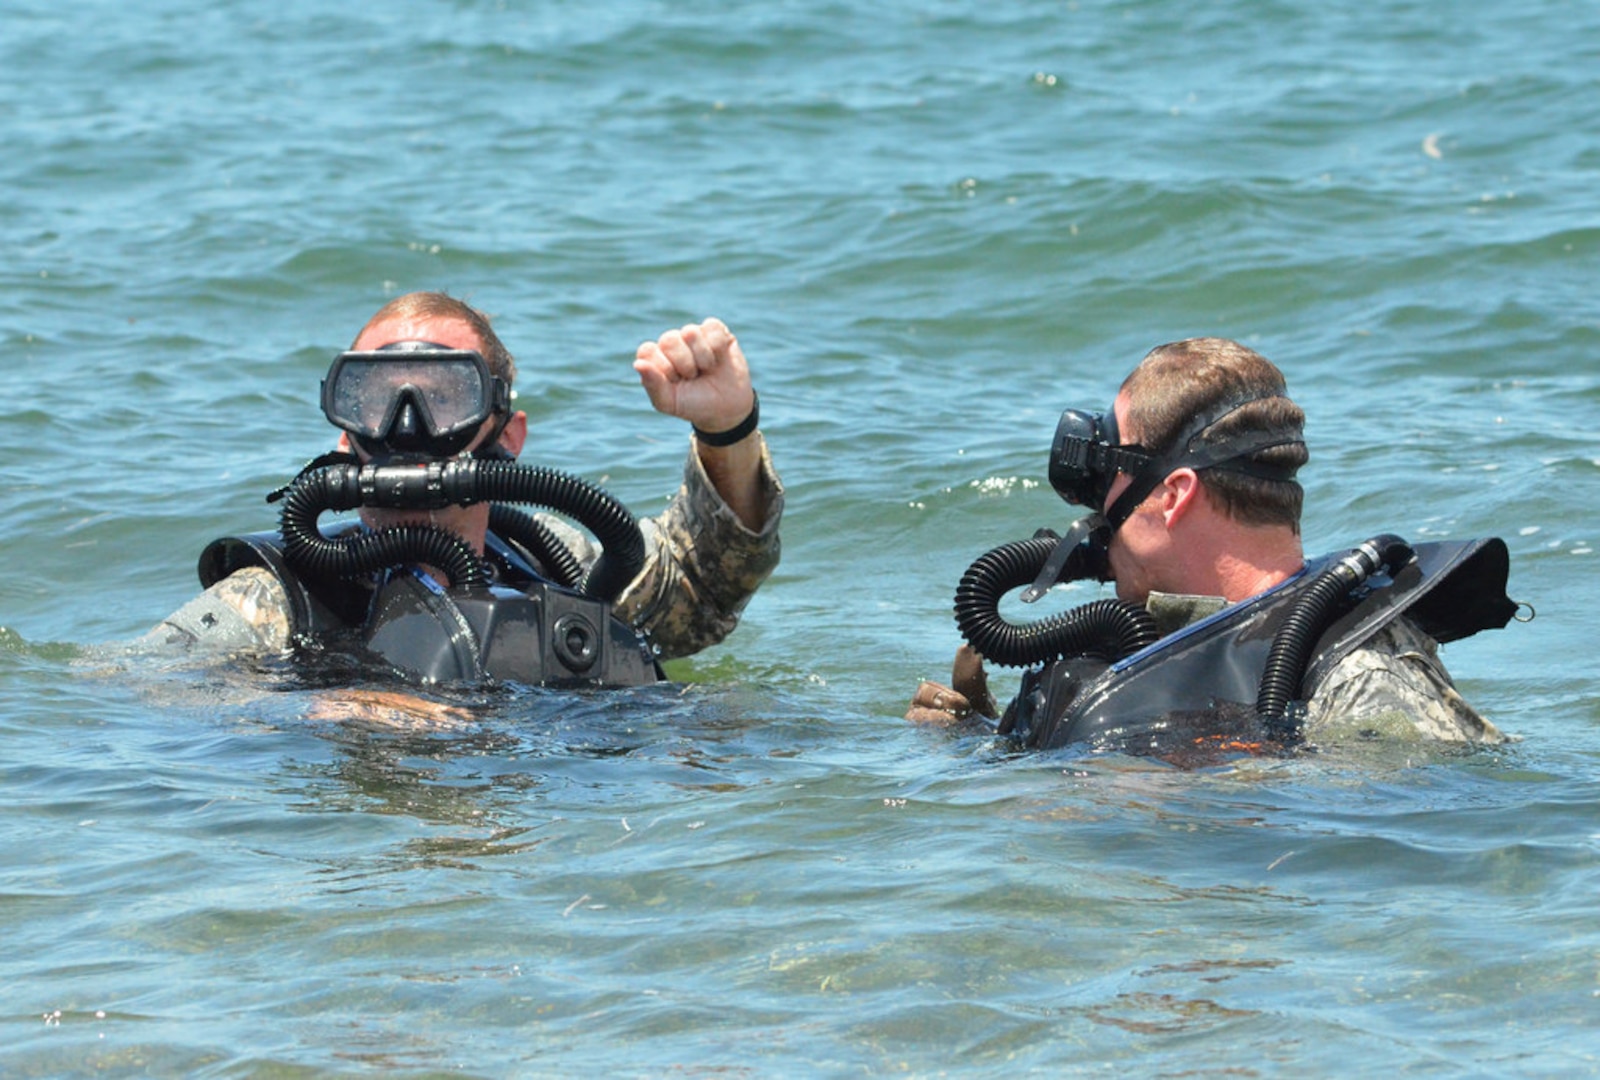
x=446 y=577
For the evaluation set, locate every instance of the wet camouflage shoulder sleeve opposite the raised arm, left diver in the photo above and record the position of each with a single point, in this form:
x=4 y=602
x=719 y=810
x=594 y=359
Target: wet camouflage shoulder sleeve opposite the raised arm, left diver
x=247 y=612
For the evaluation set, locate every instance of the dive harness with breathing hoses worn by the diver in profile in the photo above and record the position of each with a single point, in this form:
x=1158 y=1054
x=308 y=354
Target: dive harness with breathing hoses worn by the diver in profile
x=1111 y=682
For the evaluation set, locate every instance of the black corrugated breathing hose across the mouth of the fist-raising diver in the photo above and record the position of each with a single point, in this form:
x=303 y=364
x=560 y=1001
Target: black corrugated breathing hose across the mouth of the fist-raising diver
x=436 y=486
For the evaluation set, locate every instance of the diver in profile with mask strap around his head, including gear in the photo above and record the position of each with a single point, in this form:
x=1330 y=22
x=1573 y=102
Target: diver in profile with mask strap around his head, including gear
x=1222 y=636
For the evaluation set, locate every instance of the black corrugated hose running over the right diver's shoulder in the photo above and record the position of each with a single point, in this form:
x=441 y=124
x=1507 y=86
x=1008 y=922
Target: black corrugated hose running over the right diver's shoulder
x=1311 y=615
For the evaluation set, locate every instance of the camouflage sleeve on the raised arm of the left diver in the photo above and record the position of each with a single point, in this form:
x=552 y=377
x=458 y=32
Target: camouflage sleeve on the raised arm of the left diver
x=702 y=564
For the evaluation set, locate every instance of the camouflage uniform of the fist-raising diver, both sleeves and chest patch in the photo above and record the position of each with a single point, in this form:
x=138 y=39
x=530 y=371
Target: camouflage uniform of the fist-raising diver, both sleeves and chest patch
x=702 y=567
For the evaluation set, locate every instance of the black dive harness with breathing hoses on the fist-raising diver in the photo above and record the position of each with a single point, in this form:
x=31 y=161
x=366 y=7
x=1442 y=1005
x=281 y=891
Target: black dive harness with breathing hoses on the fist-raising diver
x=526 y=614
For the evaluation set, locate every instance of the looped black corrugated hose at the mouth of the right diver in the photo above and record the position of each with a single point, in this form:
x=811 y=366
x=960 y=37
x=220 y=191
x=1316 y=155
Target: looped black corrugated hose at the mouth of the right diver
x=1108 y=630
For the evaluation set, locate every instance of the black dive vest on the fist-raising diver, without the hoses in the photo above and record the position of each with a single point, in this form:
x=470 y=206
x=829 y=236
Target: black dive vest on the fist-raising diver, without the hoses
x=522 y=630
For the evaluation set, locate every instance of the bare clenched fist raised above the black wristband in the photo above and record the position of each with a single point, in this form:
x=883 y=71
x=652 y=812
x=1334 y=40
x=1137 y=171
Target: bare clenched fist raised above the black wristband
x=698 y=374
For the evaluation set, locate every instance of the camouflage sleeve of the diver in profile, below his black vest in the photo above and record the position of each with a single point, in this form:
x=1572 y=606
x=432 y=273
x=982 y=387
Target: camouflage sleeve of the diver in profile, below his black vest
x=1396 y=686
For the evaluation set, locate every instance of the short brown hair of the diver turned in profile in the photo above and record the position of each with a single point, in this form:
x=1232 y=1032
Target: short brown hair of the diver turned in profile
x=1178 y=382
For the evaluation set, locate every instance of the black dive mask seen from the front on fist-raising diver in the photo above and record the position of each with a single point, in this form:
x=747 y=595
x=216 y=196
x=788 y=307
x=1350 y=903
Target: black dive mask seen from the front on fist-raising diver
x=415 y=401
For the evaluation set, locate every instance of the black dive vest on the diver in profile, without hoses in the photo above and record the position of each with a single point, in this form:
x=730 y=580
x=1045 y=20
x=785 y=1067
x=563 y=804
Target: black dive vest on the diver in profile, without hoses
x=1202 y=681
